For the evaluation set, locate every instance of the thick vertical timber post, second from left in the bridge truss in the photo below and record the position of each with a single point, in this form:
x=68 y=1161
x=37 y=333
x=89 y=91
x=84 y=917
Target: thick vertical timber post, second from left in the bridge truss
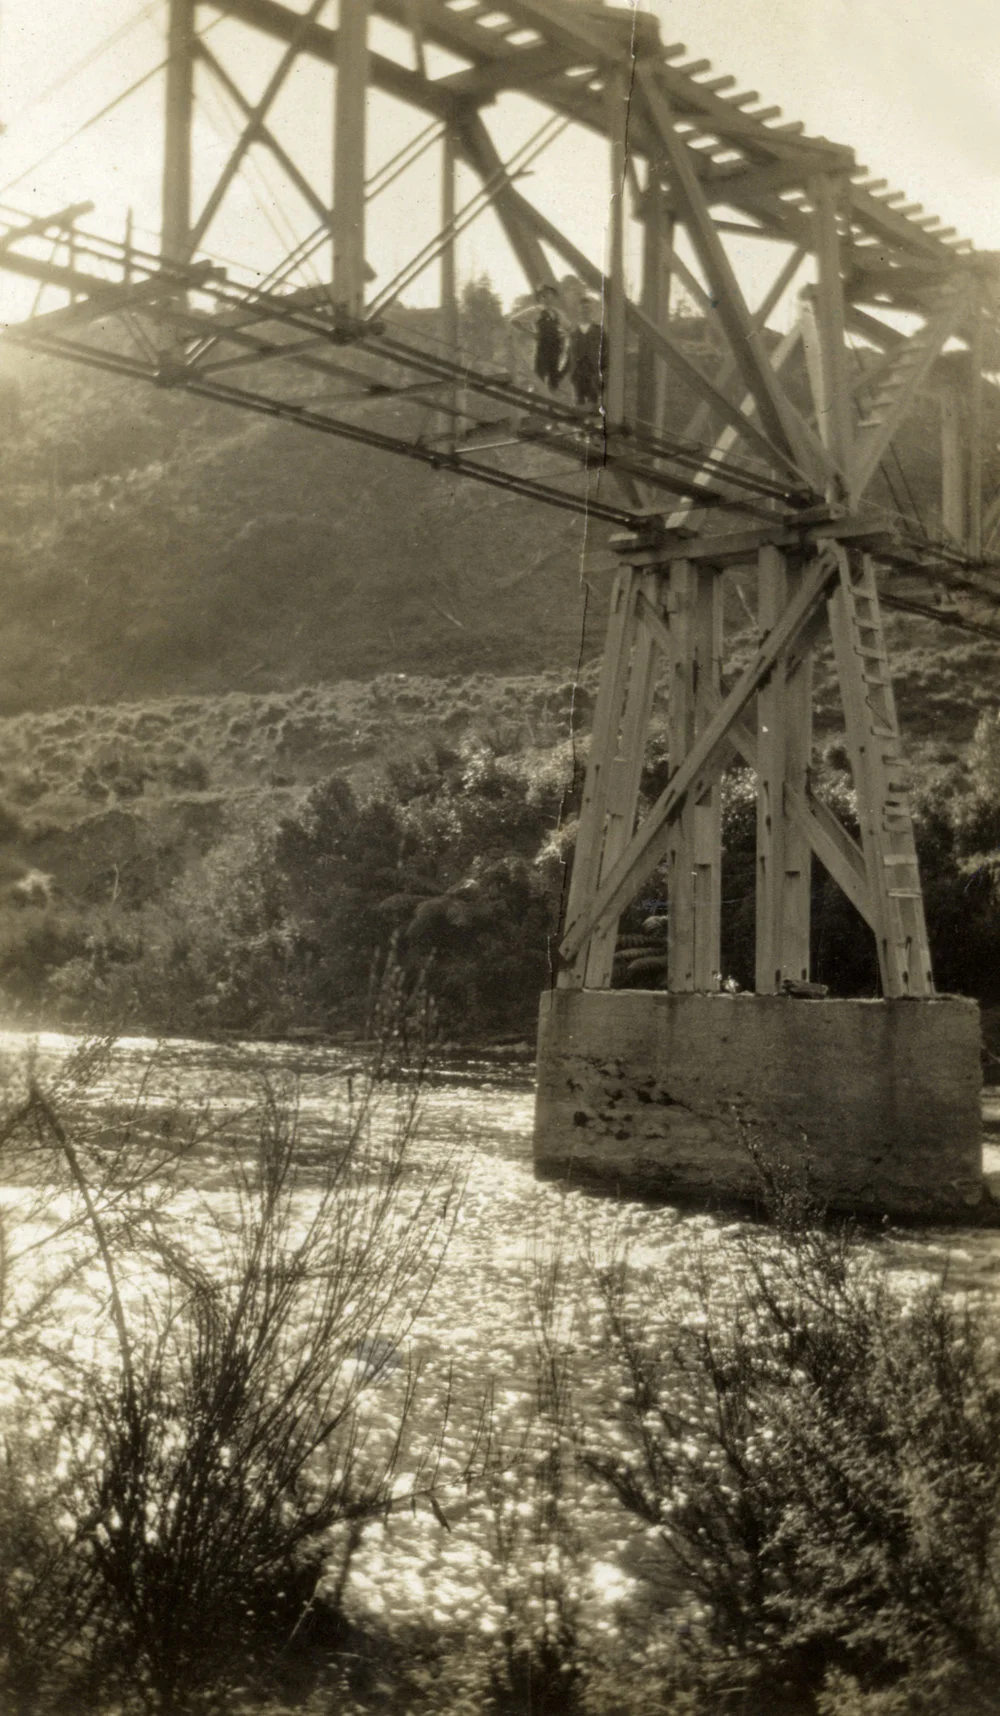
x=349 y=157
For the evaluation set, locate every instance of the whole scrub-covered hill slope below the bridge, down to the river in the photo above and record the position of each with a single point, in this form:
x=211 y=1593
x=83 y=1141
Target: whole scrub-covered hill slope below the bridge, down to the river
x=272 y=701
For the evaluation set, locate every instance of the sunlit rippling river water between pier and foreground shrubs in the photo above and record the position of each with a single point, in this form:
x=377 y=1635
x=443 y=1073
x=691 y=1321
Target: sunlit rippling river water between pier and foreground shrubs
x=478 y=1327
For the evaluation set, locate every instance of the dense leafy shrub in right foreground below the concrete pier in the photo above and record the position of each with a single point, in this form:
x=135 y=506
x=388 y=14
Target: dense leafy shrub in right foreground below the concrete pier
x=816 y=1453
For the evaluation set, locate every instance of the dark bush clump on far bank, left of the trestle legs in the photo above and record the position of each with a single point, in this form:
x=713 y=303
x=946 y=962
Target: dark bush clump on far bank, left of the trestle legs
x=279 y=924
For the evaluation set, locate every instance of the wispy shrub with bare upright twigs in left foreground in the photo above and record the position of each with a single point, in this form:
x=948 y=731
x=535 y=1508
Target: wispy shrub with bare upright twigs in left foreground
x=203 y=1482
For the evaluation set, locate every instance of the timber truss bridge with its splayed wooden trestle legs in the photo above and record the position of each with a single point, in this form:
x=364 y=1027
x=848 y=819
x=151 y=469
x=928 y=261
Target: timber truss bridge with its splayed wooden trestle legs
x=788 y=464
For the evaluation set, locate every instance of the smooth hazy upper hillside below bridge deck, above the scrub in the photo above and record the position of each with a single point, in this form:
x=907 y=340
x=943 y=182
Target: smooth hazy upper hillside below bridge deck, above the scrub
x=159 y=547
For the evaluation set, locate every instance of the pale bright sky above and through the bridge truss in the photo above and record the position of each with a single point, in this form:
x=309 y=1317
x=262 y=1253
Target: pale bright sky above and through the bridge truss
x=912 y=85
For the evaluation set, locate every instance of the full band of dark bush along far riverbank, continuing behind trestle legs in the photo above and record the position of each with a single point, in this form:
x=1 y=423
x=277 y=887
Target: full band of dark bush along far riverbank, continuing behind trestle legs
x=263 y=917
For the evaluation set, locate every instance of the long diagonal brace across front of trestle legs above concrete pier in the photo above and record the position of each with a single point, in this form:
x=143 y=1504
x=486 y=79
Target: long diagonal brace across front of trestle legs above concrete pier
x=649 y=843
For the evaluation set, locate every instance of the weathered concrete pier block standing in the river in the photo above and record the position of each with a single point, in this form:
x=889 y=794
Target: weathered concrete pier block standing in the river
x=876 y=1103
